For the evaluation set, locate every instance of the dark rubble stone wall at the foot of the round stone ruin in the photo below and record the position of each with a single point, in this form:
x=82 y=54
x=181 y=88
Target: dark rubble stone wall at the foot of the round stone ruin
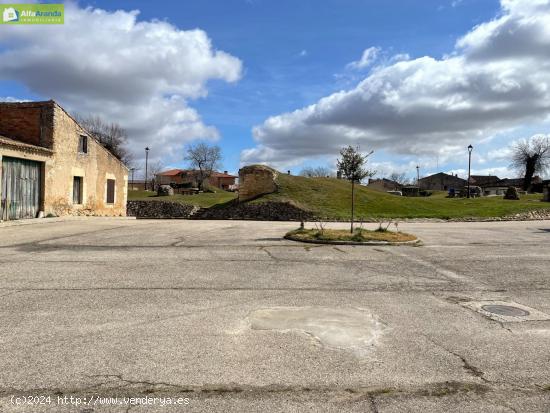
x=265 y=211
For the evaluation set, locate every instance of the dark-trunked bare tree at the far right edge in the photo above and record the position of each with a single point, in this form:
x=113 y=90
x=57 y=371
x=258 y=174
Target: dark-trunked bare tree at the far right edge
x=531 y=156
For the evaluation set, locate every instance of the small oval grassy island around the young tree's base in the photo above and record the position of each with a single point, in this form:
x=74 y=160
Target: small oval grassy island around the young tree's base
x=342 y=235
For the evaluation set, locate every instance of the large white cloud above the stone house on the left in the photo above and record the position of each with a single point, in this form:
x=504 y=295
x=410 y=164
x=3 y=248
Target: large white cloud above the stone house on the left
x=139 y=73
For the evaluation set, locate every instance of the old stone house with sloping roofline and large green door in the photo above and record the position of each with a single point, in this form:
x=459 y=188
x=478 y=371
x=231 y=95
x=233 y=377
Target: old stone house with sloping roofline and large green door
x=51 y=165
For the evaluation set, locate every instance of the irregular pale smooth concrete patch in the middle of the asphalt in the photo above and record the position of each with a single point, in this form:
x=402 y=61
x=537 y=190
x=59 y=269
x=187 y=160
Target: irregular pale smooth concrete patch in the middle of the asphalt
x=352 y=329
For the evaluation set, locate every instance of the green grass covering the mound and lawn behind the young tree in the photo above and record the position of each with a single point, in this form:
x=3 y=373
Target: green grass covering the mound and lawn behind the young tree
x=331 y=198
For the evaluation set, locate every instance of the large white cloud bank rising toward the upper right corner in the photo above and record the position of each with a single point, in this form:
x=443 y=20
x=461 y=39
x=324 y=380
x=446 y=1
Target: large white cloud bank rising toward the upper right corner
x=496 y=79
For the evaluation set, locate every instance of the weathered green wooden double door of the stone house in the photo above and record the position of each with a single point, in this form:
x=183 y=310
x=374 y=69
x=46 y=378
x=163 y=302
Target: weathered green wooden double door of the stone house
x=20 y=190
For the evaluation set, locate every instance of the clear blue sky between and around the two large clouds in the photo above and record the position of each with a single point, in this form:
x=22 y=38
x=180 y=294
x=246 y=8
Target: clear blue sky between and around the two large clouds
x=292 y=54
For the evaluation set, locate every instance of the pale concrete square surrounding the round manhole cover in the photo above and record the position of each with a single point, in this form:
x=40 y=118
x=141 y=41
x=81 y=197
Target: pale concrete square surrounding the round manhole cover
x=506 y=311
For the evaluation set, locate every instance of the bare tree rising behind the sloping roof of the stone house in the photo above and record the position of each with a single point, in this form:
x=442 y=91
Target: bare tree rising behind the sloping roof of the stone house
x=111 y=135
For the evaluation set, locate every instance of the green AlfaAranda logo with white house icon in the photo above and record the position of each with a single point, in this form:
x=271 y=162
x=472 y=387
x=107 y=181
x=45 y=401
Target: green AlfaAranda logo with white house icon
x=32 y=13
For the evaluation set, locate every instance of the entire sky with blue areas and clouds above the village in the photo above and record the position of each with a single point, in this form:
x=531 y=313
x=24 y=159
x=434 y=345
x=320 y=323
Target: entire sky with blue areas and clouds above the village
x=289 y=83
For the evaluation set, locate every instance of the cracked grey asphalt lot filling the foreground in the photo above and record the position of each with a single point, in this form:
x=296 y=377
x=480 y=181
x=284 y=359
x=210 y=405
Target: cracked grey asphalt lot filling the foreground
x=121 y=308
